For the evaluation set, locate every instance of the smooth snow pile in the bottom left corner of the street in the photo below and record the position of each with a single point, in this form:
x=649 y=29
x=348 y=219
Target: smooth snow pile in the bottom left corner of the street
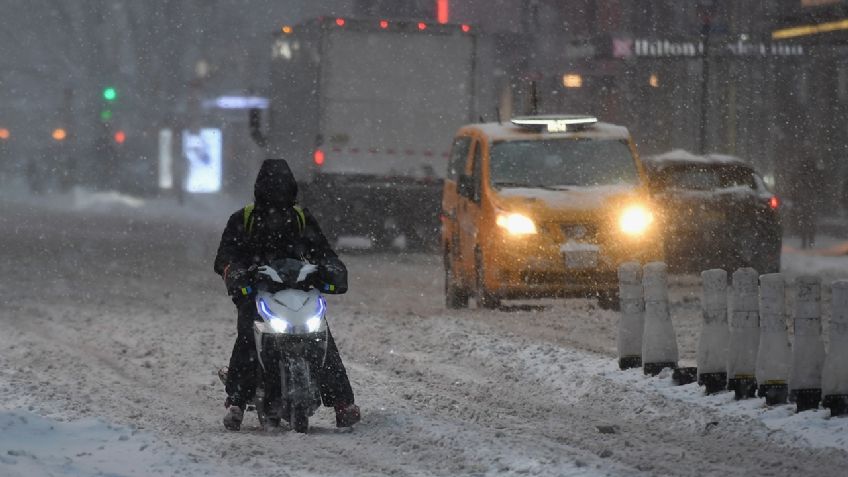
x=31 y=445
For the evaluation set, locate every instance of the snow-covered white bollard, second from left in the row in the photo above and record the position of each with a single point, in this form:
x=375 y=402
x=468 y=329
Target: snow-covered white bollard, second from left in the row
x=659 y=343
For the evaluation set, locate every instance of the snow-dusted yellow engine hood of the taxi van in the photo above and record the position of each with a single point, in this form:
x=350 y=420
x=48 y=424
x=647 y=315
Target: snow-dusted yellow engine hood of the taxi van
x=568 y=204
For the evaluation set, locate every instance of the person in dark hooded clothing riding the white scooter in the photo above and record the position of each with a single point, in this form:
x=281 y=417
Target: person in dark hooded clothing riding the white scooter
x=275 y=228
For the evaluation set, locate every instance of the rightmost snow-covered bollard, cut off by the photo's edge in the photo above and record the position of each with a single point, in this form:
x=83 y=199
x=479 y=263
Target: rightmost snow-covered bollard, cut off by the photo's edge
x=835 y=371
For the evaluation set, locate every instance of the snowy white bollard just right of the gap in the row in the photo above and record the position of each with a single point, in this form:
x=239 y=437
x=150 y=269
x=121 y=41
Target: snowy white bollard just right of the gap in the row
x=712 y=344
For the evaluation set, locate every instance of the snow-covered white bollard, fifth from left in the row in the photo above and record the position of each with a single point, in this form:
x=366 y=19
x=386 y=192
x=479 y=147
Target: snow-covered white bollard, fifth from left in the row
x=774 y=358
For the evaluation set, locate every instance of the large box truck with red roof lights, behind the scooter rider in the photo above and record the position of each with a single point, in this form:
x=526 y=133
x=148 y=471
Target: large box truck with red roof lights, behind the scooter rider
x=365 y=110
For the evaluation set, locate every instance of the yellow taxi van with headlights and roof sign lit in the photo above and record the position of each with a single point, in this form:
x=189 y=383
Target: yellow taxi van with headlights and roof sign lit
x=544 y=206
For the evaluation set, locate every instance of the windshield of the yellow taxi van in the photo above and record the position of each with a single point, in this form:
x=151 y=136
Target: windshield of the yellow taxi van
x=556 y=163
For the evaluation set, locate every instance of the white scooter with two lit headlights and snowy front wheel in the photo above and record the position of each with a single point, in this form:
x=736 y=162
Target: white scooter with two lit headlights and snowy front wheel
x=291 y=344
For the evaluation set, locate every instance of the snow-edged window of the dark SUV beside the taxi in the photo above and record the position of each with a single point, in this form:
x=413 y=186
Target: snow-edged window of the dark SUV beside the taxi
x=702 y=177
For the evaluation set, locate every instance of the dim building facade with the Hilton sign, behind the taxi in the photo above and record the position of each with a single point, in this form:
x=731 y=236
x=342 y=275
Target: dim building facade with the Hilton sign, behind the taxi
x=706 y=75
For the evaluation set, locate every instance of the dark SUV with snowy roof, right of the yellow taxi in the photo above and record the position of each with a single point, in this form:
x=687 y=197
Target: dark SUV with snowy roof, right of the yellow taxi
x=717 y=212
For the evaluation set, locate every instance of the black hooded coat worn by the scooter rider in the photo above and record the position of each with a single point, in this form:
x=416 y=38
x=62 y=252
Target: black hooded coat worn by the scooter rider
x=273 y=230
